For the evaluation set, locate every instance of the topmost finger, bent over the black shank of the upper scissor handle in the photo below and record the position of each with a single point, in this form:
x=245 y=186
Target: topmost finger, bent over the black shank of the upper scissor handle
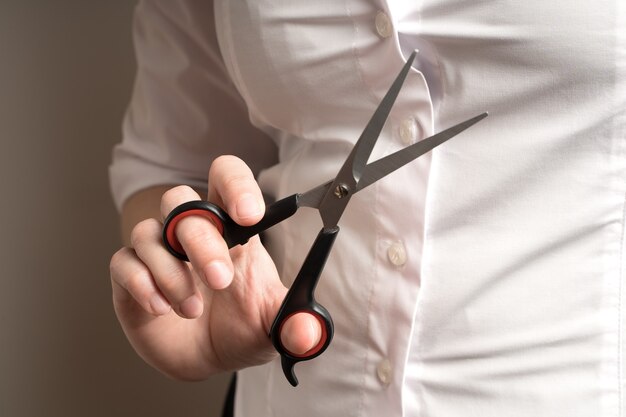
x=232 y=185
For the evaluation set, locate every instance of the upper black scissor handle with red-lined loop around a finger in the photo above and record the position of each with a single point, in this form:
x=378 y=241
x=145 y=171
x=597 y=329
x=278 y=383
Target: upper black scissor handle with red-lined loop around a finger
x=233 y=233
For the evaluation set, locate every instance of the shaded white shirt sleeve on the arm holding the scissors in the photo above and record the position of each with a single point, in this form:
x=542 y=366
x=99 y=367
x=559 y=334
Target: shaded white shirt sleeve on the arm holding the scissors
x=184 y=110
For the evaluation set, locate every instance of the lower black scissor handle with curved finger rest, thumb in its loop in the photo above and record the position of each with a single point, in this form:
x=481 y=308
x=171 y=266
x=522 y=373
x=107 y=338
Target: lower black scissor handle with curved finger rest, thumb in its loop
x=301 y=299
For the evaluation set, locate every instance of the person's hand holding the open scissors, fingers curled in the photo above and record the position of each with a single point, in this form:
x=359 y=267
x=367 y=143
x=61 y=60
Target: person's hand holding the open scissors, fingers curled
x=213 y=314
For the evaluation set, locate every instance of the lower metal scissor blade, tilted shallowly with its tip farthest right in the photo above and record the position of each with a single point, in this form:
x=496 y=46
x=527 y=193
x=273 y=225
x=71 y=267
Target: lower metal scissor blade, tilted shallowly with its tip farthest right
x=385 y=166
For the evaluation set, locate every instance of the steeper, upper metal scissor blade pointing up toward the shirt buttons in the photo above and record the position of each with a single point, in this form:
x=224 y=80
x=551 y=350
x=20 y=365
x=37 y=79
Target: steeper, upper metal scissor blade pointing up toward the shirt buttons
x=363 y=148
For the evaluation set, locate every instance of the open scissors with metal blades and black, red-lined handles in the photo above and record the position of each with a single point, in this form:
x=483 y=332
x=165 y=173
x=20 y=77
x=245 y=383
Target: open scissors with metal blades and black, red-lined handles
x=330 y=199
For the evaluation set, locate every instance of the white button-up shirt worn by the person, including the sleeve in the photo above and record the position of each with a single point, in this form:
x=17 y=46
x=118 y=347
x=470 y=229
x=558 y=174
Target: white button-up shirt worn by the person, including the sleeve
x=484 y=279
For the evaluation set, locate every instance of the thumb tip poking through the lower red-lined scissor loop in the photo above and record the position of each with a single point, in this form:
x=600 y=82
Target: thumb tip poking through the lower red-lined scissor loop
x=301 y=333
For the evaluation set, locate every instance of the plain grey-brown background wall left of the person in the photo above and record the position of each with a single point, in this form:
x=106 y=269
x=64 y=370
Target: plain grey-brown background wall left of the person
x=66 y=69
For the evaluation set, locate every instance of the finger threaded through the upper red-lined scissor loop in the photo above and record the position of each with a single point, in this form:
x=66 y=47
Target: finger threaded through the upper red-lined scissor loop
x=206 y=249
